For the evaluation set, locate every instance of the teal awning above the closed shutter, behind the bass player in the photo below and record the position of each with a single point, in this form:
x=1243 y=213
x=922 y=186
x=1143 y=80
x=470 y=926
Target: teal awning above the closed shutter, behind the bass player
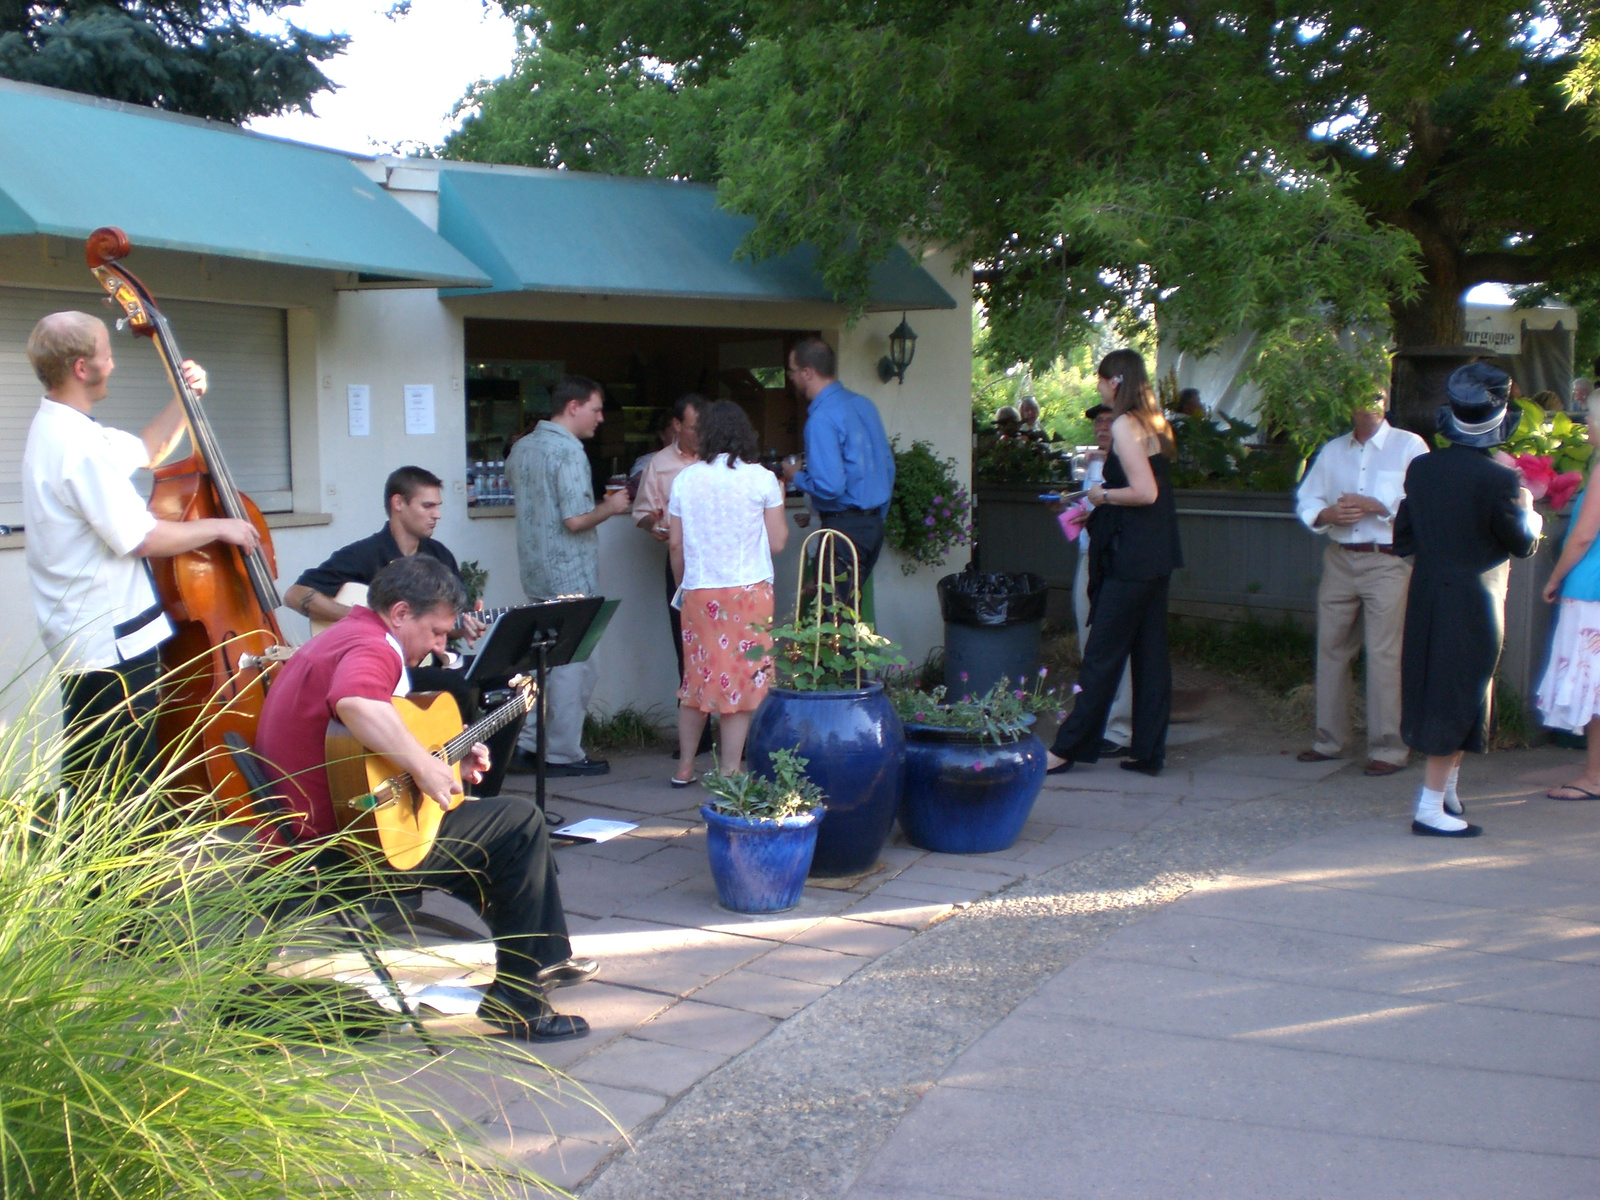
x=71 y=164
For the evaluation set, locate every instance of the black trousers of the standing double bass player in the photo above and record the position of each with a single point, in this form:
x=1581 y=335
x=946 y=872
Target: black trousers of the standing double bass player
x=110 y=719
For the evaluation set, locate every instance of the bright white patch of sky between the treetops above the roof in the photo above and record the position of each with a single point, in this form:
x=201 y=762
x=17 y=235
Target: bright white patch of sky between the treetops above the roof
x=399 y=79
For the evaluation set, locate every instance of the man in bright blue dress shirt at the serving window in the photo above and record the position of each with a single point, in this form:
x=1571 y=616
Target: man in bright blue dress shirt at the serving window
x=849 y=463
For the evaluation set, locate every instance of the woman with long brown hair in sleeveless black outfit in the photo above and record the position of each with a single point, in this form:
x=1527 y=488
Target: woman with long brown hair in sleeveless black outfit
x=1134 y=551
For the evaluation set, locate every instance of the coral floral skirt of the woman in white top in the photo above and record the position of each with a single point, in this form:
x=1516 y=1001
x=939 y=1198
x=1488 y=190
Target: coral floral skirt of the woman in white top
x=719 y=626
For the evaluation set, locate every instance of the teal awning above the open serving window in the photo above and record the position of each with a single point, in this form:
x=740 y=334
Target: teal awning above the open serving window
x=615 y=236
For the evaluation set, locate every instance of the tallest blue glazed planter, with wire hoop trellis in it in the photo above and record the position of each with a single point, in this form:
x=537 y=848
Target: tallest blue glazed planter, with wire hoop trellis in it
x=855 y=745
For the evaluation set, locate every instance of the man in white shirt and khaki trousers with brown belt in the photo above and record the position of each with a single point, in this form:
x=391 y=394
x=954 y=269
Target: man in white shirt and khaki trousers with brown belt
x=1353 y=494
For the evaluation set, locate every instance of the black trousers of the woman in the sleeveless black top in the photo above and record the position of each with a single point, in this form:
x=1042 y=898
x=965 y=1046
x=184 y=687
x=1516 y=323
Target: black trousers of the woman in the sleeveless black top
x=1130 y=626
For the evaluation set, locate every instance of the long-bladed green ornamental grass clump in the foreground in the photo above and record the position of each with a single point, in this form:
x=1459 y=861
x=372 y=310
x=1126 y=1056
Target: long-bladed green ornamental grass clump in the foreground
x=153 y=1042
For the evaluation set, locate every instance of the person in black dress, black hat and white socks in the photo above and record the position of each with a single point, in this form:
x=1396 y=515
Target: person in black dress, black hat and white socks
x=1463 y=518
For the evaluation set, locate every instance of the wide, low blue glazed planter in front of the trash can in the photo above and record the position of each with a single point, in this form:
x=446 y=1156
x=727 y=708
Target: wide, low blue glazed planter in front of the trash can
x=967 y=796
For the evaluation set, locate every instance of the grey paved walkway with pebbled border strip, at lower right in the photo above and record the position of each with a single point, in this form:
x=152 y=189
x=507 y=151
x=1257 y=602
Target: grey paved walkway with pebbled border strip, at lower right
x=1268 y=986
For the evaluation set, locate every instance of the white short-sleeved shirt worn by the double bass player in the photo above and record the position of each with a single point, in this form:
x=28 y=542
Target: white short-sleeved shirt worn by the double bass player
x=84 y=519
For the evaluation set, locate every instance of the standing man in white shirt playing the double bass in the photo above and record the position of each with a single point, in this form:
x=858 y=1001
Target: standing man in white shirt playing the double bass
x=89 y=534
